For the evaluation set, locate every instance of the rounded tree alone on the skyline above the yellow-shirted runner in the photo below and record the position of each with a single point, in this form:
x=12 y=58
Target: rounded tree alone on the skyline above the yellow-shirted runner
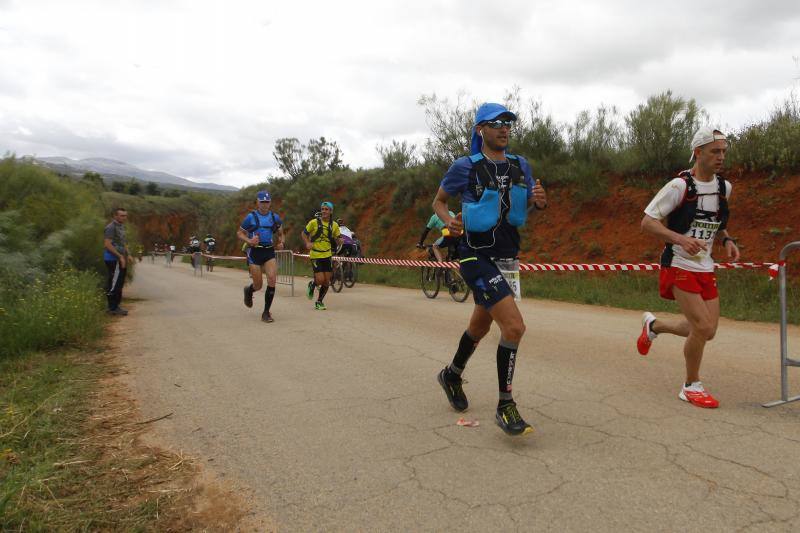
x=317 y=157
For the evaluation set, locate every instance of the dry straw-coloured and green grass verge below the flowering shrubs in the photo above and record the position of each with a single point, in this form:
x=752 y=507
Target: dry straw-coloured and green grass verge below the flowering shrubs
x=79 y=459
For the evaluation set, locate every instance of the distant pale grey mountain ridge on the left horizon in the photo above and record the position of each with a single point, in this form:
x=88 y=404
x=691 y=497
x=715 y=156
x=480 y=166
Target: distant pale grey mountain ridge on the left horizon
x=113 y=170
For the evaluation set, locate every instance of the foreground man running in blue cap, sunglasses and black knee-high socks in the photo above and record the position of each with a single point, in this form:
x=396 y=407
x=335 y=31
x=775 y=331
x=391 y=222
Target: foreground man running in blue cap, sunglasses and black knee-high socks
x=496 y=190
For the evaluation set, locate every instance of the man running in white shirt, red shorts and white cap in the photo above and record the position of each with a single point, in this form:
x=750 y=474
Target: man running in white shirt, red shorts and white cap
x=688 y=214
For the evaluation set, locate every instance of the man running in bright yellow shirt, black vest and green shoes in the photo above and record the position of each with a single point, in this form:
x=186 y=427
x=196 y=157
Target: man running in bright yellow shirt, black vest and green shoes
x=321 y=236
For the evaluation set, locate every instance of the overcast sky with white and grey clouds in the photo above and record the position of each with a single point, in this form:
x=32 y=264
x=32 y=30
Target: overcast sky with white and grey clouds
x=202 y=89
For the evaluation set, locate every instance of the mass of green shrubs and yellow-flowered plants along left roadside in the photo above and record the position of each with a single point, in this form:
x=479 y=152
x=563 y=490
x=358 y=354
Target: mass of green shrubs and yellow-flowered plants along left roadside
x=50 y=259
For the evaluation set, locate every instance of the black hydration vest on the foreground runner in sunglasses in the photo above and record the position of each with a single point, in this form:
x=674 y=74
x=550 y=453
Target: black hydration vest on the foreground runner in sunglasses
x=482 y=177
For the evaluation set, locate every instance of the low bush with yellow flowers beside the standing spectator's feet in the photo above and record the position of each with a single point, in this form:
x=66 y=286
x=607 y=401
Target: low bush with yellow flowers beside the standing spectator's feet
x=66 y=309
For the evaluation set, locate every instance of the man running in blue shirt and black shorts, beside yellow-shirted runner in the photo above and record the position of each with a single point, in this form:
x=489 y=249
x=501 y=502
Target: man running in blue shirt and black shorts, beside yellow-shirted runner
x=259 y=230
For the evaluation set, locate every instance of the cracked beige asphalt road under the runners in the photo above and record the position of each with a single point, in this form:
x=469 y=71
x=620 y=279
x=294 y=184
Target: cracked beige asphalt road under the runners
x=333 y=420
